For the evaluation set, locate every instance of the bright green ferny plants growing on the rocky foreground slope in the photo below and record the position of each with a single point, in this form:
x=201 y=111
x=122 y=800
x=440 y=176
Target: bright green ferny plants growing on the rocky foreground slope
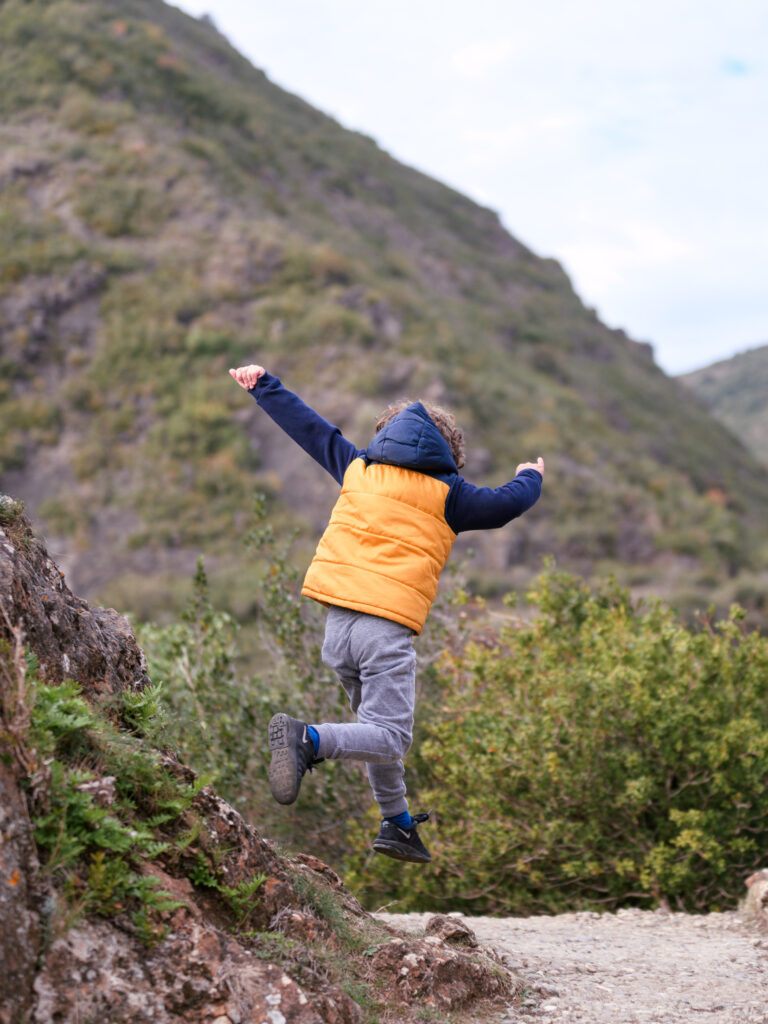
x=98 y=815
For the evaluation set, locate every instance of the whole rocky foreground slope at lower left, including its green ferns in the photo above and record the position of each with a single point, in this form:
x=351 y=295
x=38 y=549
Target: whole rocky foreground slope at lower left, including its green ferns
x=133 y=892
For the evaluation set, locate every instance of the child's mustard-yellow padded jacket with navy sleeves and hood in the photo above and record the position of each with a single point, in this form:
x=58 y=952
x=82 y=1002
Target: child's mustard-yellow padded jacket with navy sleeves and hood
x=402 y=505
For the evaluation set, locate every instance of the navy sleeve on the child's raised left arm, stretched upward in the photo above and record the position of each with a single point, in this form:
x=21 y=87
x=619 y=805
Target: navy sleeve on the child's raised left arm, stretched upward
x=317 y=437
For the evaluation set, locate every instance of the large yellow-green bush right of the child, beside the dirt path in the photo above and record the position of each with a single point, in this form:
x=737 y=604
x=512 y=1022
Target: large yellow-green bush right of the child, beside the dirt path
x=599 y=755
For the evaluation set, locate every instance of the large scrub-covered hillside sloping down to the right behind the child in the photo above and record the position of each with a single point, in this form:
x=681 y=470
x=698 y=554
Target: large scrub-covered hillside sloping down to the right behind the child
x=167 y=212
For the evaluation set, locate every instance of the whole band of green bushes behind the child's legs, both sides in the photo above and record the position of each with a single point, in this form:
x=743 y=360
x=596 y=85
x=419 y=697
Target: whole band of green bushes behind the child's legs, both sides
x=587 y=752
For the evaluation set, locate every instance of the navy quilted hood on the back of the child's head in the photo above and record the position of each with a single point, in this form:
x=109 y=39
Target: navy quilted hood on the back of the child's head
x=412 y=441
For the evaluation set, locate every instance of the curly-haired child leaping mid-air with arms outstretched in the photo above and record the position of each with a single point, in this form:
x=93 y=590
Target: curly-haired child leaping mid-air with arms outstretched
x=377 y=566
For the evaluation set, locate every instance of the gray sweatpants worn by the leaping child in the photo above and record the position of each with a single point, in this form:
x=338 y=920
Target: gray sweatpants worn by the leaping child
x=376 y=664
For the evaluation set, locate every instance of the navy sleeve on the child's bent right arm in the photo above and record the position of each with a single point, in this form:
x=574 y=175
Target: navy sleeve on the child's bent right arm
x=468 y=507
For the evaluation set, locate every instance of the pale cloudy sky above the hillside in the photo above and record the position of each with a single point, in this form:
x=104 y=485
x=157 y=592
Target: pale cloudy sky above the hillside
x=626 y=139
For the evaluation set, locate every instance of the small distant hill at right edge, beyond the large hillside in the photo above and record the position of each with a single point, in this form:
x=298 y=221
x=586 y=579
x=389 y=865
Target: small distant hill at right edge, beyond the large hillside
x=736 y=392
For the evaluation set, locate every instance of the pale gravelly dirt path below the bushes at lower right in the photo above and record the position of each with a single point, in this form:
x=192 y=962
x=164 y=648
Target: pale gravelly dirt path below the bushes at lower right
x=634 y=967
